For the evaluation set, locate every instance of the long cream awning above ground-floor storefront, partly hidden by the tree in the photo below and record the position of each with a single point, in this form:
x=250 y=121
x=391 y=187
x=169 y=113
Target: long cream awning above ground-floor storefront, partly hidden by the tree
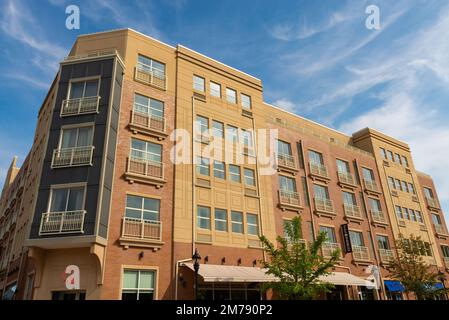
x=220 y=273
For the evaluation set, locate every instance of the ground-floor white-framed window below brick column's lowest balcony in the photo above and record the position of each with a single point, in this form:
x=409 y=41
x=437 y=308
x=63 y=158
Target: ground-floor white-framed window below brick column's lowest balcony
x=138 y=285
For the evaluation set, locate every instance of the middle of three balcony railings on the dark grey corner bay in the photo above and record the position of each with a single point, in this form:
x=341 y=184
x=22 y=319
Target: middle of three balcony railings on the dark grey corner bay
x=71 y=157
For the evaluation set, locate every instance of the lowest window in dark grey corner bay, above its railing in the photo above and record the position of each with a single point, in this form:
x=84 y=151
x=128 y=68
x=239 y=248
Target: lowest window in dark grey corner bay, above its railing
x=67 y=199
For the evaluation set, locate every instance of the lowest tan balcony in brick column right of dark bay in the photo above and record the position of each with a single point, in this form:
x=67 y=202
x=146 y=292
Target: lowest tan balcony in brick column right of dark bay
x=141 y=233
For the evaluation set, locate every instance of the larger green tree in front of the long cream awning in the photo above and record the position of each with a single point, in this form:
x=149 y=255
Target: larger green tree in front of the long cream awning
x=298 y=266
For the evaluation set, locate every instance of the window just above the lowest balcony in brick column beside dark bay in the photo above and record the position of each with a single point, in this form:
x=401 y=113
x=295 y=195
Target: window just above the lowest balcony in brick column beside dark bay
x=142 y=208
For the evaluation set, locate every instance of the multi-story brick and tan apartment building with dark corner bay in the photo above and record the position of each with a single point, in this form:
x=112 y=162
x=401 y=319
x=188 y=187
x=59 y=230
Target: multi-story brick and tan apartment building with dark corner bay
x=145 y=152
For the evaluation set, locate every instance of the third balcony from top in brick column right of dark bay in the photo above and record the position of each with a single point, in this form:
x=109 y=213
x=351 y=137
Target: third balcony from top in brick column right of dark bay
x=145 y=171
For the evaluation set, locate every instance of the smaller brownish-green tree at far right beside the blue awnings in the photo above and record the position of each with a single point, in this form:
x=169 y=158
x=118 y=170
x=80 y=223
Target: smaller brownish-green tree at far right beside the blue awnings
x=412 y=271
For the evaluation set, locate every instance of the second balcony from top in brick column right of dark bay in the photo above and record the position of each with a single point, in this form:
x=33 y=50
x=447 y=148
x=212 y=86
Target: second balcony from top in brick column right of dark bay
x=148 y=124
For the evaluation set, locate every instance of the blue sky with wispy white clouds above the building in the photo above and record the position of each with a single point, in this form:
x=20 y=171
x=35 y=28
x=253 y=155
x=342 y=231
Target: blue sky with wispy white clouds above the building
x=316 y=58
